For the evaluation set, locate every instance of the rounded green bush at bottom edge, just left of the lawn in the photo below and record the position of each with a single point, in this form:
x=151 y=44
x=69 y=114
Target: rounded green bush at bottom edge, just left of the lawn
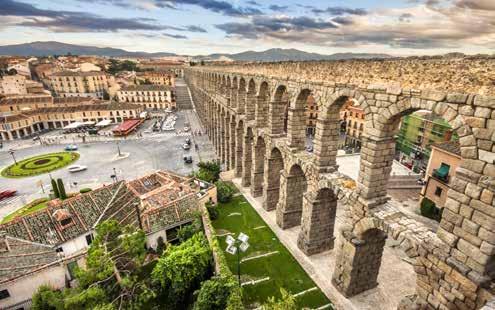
x=214 y=294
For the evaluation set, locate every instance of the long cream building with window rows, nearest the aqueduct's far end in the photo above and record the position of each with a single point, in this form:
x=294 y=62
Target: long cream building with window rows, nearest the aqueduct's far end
x=148 y=96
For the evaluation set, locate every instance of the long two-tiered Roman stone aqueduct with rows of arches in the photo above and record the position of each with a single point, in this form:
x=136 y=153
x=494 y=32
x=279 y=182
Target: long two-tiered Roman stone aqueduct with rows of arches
x=243 y=109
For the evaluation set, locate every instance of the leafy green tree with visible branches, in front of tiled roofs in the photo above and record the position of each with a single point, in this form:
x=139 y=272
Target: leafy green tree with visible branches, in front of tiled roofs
x=112 y=277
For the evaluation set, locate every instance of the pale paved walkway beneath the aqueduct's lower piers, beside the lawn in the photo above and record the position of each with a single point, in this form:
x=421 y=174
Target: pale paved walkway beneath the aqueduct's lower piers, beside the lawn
x=396 y=278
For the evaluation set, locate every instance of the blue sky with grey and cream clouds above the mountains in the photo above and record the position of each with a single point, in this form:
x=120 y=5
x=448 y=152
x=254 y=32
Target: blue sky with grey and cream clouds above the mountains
x=200 y=27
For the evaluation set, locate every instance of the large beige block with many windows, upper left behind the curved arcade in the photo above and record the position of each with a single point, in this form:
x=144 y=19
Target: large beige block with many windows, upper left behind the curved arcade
x=80 y=84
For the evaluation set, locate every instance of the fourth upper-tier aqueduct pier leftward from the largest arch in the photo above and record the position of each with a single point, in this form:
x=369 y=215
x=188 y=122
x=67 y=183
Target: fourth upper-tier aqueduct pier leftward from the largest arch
x=278 y=111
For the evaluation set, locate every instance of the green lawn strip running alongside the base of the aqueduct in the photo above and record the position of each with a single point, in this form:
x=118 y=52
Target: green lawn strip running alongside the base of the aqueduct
x=282 y=269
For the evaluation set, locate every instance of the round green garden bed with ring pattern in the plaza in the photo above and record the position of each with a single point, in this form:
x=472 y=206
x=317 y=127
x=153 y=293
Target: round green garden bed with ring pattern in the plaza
x=39 y=164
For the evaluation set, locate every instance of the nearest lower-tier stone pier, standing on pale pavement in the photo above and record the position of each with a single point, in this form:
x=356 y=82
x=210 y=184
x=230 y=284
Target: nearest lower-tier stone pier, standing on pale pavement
x=358 y=263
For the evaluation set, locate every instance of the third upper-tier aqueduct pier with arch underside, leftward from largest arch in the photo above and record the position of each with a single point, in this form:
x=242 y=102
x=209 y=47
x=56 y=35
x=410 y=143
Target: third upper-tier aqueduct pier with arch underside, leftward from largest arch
x=296 y=127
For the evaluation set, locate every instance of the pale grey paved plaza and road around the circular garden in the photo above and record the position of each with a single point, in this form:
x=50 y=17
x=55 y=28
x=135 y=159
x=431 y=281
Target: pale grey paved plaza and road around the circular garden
x=151 y=152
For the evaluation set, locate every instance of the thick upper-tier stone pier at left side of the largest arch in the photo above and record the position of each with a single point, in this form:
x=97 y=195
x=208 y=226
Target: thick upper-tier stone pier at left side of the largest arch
x=377 y=156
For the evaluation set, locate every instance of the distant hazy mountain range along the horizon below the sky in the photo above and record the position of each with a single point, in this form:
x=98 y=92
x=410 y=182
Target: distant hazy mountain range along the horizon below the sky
x=275 y=54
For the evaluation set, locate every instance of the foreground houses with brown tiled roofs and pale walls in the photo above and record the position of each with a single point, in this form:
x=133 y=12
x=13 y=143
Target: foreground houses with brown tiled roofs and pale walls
x=45 y=246
